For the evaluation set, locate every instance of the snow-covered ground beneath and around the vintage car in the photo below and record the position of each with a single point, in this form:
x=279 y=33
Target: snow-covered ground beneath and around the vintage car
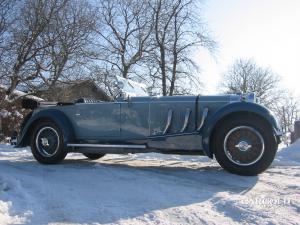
x=145 y=189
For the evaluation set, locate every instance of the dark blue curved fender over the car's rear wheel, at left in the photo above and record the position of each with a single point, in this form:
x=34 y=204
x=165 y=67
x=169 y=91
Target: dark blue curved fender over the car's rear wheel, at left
x=54 y=115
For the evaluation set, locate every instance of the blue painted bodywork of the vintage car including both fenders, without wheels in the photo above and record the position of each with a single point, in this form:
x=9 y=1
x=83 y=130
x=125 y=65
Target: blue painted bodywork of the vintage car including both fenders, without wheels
x=142 y=120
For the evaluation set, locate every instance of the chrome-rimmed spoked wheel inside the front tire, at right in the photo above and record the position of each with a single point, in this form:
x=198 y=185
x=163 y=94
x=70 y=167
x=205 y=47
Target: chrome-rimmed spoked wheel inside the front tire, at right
x=244 y=145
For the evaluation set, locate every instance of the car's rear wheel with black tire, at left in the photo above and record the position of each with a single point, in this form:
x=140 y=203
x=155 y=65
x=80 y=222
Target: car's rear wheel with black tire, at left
x=47 y=143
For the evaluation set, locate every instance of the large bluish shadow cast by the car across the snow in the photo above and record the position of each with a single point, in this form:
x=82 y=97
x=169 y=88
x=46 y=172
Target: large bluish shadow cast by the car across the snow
x=111 y=191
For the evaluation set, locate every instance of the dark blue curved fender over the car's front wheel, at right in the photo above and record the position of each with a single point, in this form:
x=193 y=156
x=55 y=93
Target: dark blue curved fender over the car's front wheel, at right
x=237 y=107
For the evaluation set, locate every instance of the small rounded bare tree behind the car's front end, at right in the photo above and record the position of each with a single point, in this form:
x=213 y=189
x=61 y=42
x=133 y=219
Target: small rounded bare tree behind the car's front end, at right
x=246 y=76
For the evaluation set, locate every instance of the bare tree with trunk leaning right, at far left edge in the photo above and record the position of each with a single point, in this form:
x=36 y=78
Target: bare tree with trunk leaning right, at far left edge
x=25 y=45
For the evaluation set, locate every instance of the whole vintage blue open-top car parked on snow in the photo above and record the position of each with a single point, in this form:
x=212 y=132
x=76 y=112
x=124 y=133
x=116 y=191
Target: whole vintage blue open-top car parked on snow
x=242 y=135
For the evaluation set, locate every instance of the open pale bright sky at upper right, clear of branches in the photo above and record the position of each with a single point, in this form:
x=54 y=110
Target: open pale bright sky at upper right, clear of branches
x=266 y=30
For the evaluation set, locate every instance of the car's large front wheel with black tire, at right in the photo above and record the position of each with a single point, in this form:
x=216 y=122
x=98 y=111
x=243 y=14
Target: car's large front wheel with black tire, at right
x=244 y=145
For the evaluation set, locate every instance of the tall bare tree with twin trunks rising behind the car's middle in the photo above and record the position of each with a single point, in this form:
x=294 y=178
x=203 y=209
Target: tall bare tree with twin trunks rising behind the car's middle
x=177 y=31
